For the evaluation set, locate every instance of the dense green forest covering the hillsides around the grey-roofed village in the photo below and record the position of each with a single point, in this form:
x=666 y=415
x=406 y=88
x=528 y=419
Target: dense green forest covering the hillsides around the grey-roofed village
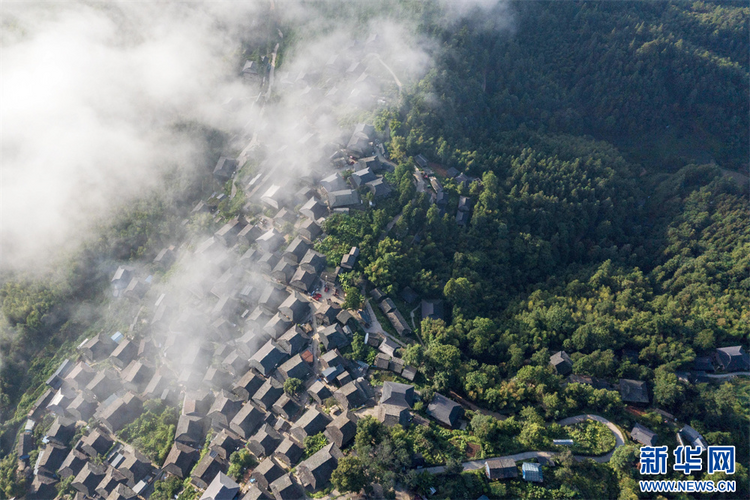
x=608 y=143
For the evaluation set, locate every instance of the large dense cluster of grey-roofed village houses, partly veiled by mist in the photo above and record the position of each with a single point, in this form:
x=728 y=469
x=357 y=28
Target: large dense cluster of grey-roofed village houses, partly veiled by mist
x=265 y=309
